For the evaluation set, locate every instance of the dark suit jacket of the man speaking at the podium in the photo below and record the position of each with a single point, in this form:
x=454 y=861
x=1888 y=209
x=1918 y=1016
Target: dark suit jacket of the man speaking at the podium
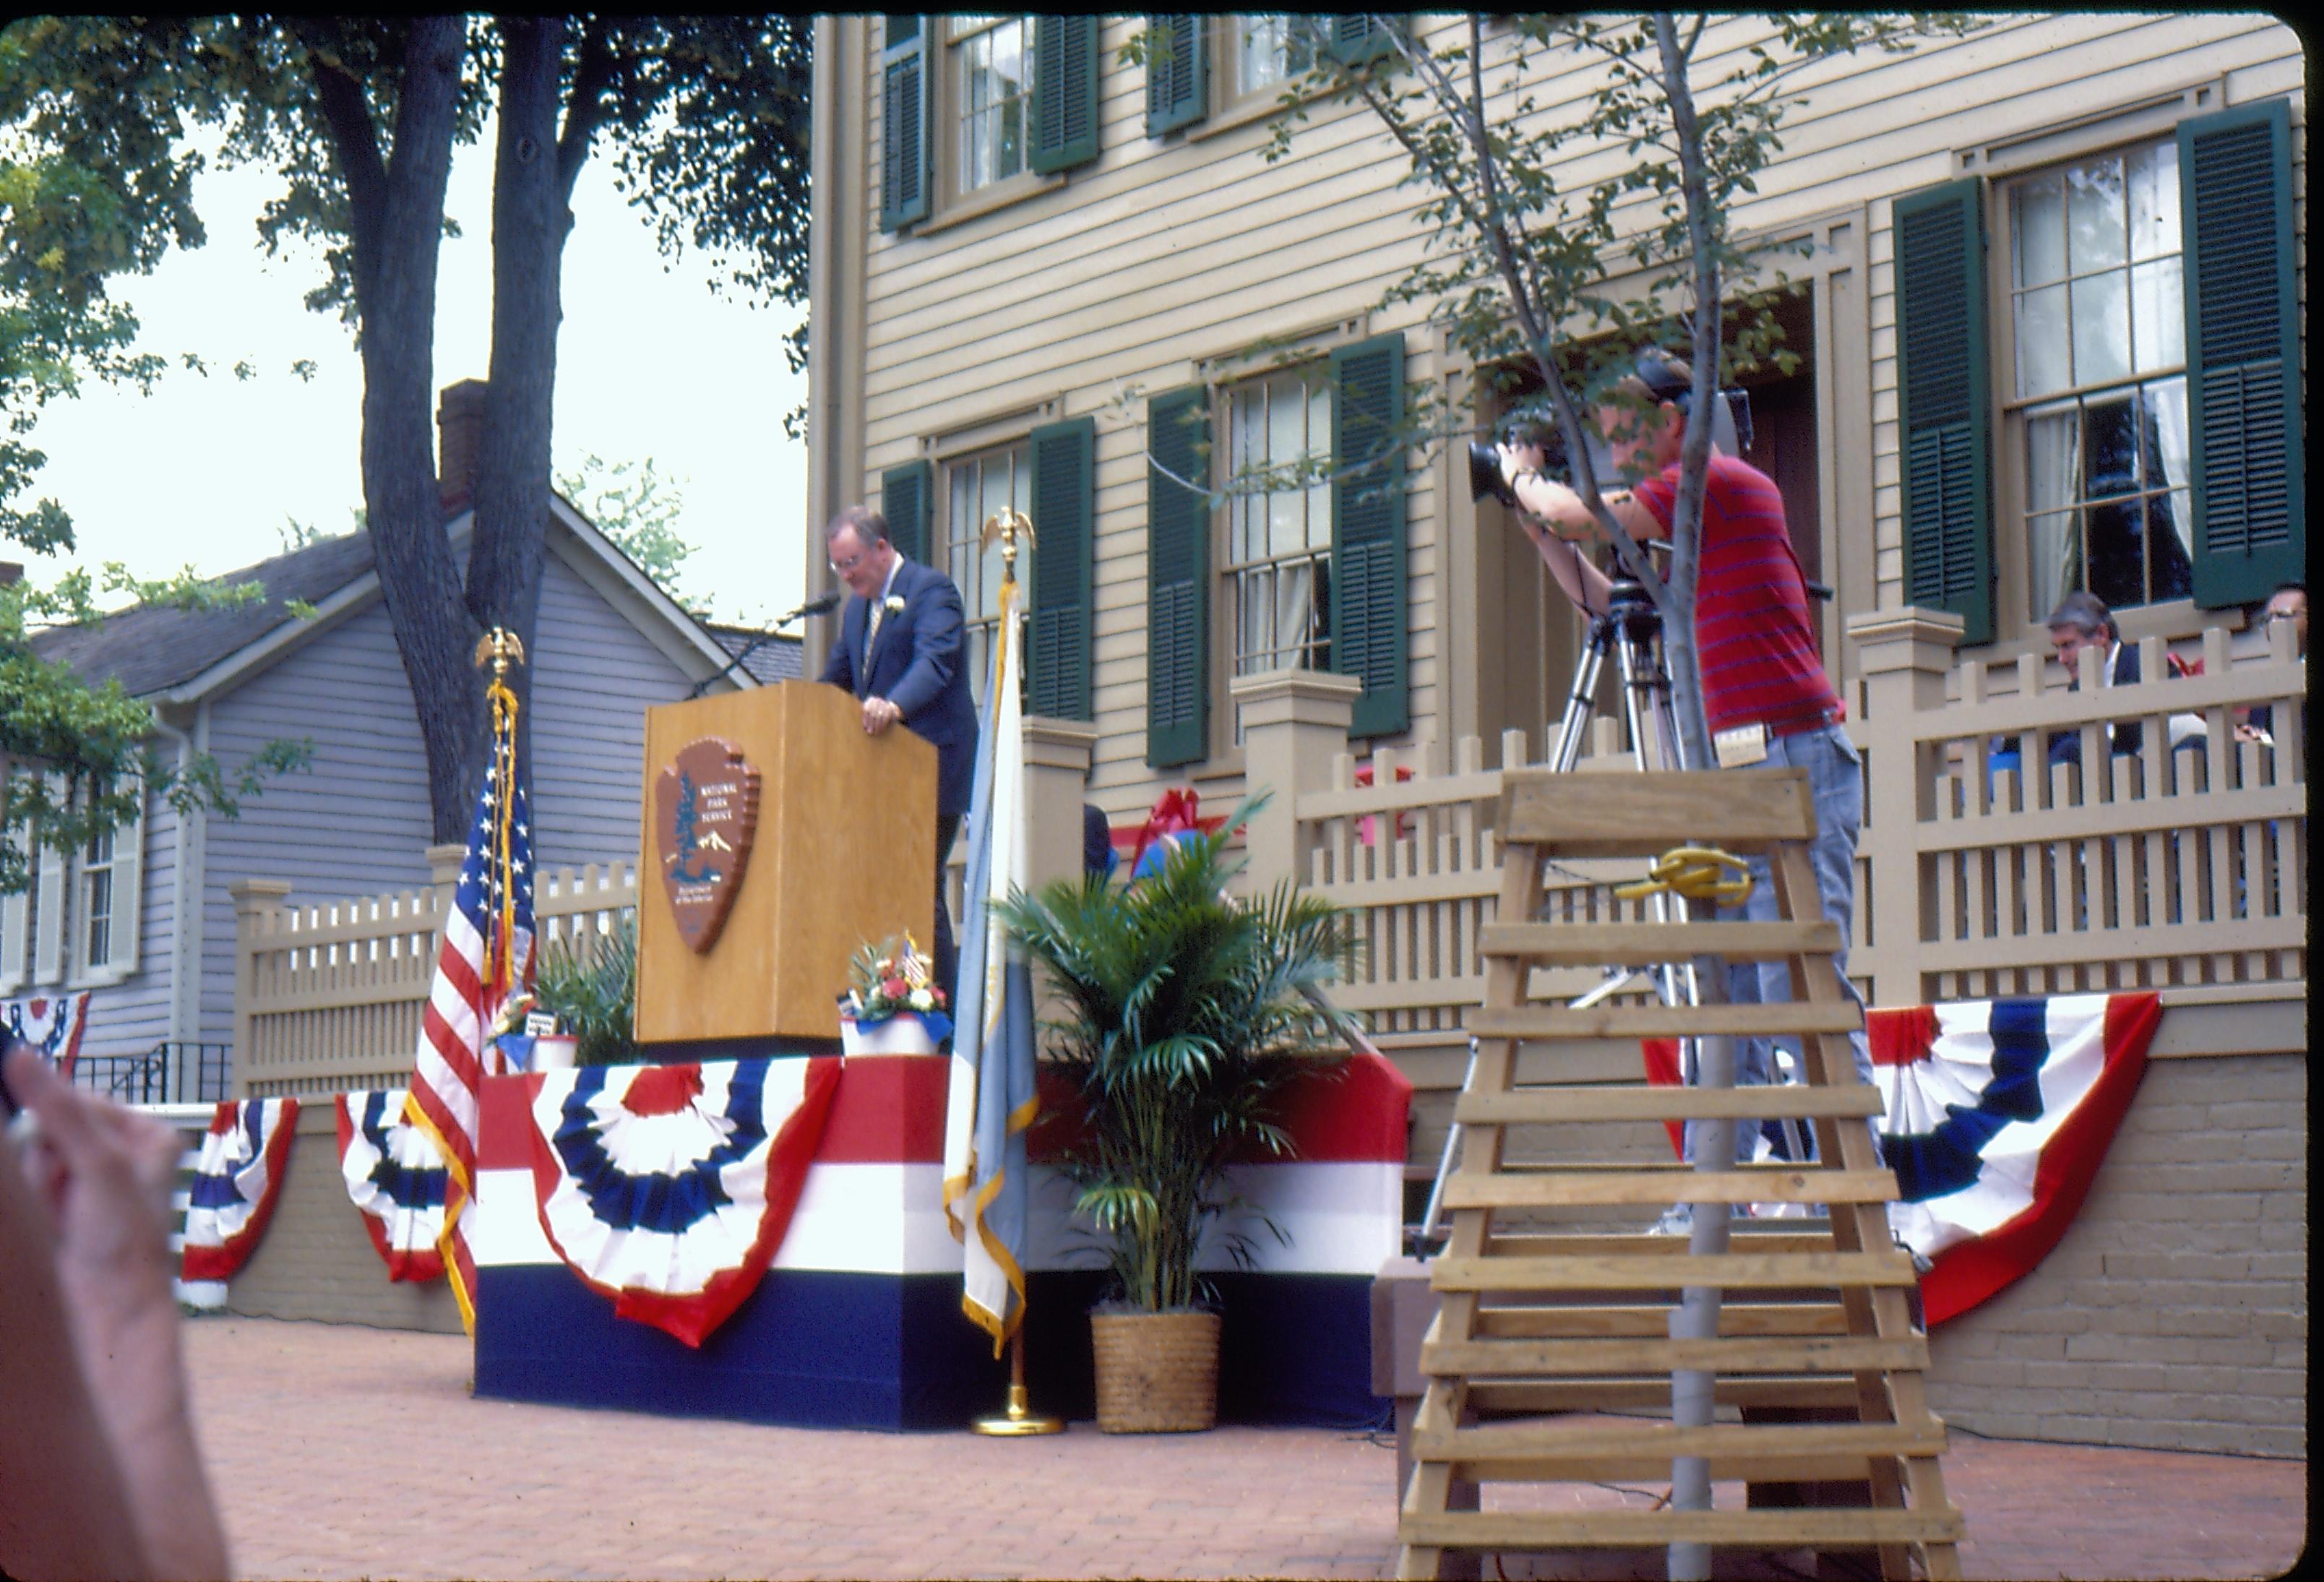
x=921 y=668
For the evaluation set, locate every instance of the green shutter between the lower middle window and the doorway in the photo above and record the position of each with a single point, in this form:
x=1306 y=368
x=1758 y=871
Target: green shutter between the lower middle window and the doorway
x=1368 y=533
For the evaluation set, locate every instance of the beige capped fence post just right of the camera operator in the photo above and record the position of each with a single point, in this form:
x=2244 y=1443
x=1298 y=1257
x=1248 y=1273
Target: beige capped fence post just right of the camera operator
x=1902 y=656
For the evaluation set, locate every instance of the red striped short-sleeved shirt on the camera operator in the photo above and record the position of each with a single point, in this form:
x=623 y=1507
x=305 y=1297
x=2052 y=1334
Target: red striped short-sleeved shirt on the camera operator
x=1751 y=605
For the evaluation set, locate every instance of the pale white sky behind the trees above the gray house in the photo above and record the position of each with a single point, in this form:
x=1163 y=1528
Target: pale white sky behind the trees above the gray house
x=650 y=366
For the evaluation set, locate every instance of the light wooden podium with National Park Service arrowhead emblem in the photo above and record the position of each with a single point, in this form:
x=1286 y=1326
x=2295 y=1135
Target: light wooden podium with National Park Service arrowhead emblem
x=842 y=854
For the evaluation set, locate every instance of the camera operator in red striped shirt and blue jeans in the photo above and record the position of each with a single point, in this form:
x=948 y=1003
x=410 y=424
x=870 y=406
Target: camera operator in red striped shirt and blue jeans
x=1765 y=689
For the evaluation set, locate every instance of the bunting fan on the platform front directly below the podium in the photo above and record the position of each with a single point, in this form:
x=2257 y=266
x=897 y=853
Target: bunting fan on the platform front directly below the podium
x=670 y=1188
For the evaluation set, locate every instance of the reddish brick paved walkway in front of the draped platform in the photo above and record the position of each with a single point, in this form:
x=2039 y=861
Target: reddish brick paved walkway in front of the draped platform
x=327 y=1453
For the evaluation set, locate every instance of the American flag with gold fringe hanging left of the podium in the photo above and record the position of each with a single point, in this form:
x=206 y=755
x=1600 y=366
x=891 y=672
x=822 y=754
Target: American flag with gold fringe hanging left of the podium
x=485 y=963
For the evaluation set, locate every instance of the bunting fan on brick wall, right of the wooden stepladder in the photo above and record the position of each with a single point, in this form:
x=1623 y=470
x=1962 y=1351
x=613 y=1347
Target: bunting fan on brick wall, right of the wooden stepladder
x=1997 y=1121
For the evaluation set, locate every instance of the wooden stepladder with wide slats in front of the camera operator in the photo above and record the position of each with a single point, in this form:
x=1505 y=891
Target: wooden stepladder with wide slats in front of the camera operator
x=1542 y=1337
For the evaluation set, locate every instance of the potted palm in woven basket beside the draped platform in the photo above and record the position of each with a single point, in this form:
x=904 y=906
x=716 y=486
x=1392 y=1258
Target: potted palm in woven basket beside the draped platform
x=1184 y=1019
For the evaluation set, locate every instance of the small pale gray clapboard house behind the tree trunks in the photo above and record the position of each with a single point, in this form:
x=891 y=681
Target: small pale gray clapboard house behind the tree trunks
x=143 y=919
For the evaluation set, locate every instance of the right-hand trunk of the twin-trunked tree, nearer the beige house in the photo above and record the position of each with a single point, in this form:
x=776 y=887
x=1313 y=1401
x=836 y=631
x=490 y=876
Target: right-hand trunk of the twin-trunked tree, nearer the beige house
x=531 y=220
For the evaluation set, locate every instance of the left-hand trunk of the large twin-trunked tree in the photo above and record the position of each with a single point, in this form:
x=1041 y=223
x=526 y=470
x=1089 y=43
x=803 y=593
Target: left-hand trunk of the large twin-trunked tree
x=399 y=285
